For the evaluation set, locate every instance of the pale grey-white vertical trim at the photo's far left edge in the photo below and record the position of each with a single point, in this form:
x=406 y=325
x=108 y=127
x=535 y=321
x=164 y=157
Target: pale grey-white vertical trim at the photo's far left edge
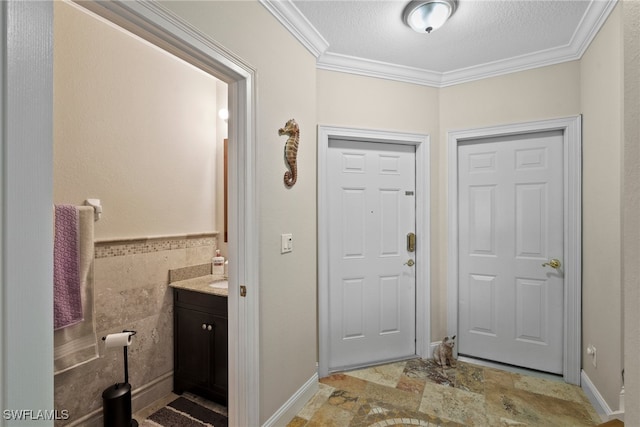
x=26 y=314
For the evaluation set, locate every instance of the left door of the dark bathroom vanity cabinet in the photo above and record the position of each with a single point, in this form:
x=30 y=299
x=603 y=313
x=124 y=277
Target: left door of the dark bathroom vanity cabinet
x=192 y=347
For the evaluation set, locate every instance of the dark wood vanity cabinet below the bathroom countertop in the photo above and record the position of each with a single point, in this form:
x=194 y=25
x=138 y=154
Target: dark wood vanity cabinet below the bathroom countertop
x=200 y=345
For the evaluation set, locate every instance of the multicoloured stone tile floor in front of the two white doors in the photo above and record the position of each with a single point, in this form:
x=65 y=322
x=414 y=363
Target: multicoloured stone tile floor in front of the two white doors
x=420 y=393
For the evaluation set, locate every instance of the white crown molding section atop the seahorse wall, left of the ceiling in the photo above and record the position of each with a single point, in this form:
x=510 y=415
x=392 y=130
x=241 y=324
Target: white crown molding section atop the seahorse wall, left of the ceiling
x=297 y=24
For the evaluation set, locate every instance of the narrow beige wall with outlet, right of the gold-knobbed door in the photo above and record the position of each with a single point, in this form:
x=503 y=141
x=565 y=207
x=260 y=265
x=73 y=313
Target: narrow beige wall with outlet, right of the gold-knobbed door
x=601 y=83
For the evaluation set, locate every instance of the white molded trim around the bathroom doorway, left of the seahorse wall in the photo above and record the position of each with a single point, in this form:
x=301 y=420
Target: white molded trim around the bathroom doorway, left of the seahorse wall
x=161 y=27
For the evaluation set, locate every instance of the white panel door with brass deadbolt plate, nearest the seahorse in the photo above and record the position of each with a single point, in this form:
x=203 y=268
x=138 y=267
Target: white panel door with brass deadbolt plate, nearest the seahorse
x=371 y=198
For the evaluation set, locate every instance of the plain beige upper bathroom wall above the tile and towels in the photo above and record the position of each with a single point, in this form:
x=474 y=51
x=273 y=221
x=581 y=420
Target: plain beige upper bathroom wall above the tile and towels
x=141 y=140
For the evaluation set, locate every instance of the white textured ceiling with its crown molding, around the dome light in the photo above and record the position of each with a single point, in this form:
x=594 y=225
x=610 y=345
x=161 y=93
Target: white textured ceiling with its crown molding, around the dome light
x=483 y=37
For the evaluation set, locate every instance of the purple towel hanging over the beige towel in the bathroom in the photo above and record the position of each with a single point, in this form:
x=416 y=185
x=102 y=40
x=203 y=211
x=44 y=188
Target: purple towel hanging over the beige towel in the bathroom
x=67 y=302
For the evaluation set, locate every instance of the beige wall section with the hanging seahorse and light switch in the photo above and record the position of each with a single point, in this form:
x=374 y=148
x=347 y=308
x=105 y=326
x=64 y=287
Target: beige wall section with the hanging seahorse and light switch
x=286 y=87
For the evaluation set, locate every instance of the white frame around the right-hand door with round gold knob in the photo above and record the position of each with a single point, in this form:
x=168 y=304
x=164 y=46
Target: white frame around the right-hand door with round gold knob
x=571 y=128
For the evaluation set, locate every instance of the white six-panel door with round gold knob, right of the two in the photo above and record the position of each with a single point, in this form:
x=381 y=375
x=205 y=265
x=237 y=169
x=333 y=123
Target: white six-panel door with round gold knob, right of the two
x=510 y=219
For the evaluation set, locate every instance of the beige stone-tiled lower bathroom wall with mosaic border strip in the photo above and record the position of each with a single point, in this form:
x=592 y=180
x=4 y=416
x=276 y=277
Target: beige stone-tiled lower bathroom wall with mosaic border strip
x=131 y=292
